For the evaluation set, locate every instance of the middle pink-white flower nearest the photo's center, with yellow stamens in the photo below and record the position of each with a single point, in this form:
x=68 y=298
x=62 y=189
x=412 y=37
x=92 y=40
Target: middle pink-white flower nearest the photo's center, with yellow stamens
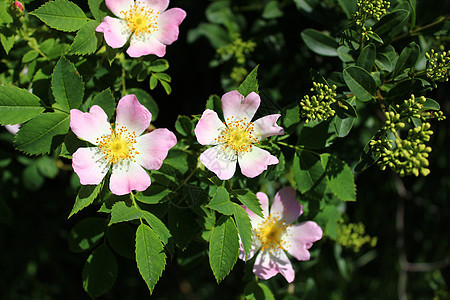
x=234 y=140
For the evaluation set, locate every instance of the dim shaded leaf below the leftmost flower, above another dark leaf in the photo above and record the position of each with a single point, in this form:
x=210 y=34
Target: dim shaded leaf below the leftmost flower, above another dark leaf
x=86 y=234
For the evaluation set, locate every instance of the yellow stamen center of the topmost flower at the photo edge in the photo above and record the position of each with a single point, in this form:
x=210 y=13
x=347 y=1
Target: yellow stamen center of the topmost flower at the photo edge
x=141 y=19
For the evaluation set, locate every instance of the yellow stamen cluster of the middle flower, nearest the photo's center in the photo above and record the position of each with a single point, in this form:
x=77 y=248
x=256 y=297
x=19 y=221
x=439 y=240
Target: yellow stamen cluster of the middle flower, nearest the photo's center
x=237 y=137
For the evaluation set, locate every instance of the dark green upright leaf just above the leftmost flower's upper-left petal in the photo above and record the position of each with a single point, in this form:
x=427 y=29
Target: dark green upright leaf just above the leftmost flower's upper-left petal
x=67 y=85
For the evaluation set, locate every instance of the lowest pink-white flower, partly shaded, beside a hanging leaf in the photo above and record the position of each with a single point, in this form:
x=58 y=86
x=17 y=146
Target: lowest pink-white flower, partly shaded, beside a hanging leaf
x=274 y=234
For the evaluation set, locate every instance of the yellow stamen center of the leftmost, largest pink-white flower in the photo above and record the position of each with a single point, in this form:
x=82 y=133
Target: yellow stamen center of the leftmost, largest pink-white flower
x=119 y=145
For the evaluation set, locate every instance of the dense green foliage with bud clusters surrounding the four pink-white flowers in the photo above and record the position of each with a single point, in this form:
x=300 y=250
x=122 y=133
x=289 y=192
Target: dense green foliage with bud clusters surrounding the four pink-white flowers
x=362 y=89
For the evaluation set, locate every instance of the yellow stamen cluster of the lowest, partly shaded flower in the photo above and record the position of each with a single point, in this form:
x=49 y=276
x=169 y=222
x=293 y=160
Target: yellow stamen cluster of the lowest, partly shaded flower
x=271 y=233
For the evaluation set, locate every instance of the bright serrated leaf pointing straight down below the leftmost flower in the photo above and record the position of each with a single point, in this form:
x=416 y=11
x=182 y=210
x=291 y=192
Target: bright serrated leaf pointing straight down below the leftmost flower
x=150 y=257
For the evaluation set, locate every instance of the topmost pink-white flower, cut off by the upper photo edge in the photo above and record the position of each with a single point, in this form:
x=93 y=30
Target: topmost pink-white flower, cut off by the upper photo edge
x=147 y=23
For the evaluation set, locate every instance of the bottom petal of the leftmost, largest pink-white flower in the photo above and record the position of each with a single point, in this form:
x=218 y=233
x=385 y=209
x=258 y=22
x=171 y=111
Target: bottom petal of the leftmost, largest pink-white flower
x=127 y=176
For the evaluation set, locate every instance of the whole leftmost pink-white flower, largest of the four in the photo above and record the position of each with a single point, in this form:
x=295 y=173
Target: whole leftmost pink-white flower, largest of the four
x=120 y=146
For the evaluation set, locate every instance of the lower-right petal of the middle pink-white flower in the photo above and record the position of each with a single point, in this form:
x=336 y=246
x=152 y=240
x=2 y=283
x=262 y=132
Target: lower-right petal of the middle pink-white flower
x=254 y=162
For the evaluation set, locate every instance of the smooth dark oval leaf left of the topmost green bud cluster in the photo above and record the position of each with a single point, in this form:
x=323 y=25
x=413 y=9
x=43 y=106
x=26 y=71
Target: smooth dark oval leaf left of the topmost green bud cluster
x=319 y=42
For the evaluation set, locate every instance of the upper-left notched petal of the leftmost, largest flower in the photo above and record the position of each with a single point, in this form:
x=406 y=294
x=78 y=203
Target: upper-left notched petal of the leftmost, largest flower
x=90 y=126
